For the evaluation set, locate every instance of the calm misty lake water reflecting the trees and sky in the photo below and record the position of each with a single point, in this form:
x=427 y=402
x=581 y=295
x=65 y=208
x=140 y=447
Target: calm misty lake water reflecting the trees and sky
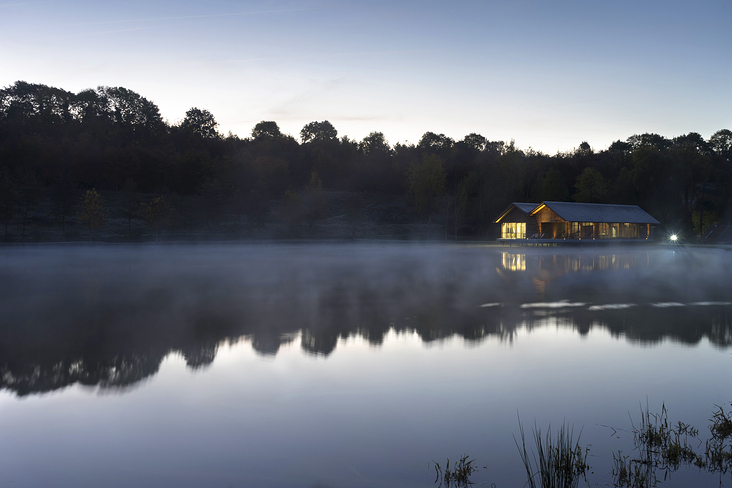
x=351 y=365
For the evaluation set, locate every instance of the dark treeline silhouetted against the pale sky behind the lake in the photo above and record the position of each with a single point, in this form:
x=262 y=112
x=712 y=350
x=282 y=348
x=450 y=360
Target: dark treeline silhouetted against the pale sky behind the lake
x=58 y=146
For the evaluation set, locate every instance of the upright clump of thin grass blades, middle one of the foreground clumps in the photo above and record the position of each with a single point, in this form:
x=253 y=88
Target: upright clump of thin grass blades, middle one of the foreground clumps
x=558 y=462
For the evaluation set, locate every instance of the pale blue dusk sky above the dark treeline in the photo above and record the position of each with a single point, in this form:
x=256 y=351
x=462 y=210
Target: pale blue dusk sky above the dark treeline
x=548 y=74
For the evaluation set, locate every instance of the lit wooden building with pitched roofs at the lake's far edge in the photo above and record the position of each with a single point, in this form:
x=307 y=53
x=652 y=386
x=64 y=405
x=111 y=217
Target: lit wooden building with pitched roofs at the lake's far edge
x=575 y=221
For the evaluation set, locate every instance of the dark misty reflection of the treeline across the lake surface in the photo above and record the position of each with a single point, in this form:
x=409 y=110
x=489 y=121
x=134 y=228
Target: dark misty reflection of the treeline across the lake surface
x=113 y=330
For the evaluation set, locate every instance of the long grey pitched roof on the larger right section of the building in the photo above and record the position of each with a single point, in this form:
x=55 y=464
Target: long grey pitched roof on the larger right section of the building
x=596 y=212
